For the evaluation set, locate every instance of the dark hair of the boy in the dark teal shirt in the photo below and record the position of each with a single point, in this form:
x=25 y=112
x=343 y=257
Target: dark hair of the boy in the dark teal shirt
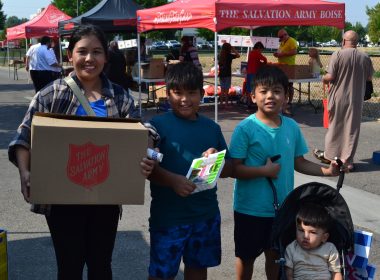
x=184 y=75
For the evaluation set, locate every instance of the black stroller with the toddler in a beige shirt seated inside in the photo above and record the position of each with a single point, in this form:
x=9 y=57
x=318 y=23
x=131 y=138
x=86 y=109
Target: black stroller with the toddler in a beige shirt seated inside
x=313 y=199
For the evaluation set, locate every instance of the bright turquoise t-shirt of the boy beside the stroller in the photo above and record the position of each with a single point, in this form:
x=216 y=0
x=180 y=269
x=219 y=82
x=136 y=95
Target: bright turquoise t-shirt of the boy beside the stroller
x=255 y=142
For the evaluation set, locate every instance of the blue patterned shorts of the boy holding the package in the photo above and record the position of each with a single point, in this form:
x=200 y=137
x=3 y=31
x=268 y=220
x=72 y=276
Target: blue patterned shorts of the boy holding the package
x=199 y=244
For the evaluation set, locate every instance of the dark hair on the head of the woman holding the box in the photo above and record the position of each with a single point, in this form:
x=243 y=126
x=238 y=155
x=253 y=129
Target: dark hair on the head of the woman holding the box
x=87 y=30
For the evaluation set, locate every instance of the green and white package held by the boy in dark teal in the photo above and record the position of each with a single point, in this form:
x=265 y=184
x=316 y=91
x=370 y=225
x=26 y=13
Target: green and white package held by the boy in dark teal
x=204 y=172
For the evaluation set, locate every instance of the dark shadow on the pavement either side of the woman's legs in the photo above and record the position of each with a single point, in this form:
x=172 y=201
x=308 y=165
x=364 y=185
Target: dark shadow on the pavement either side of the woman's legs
x=34 y=258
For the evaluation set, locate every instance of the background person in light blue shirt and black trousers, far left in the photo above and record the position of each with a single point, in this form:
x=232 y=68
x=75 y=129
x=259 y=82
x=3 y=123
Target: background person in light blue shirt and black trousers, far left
x=46 y=65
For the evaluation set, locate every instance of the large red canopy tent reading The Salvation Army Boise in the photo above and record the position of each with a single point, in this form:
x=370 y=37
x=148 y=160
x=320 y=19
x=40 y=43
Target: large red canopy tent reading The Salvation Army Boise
x=217 y=15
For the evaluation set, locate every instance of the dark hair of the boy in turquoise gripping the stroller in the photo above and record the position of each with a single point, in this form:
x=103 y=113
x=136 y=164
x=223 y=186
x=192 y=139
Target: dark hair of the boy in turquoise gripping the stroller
x=269 y=75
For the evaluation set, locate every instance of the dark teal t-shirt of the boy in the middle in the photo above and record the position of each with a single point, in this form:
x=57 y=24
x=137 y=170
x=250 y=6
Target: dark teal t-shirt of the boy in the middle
x=183 y=140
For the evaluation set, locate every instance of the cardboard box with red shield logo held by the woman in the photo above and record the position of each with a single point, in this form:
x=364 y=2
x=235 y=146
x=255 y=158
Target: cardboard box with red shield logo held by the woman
x=87 y=160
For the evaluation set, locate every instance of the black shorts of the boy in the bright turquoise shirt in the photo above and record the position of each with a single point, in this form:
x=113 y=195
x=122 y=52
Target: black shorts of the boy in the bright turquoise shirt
x=251 y=235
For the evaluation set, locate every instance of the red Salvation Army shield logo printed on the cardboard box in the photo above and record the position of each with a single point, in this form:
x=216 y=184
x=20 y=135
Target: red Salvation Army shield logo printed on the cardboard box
x=88 y=164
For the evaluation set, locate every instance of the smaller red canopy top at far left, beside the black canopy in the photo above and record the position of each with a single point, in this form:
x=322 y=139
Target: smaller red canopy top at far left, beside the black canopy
x=44 y=24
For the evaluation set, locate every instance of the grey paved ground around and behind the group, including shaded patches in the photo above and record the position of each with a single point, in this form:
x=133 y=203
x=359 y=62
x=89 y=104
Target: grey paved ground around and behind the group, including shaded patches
x=31 y=254
